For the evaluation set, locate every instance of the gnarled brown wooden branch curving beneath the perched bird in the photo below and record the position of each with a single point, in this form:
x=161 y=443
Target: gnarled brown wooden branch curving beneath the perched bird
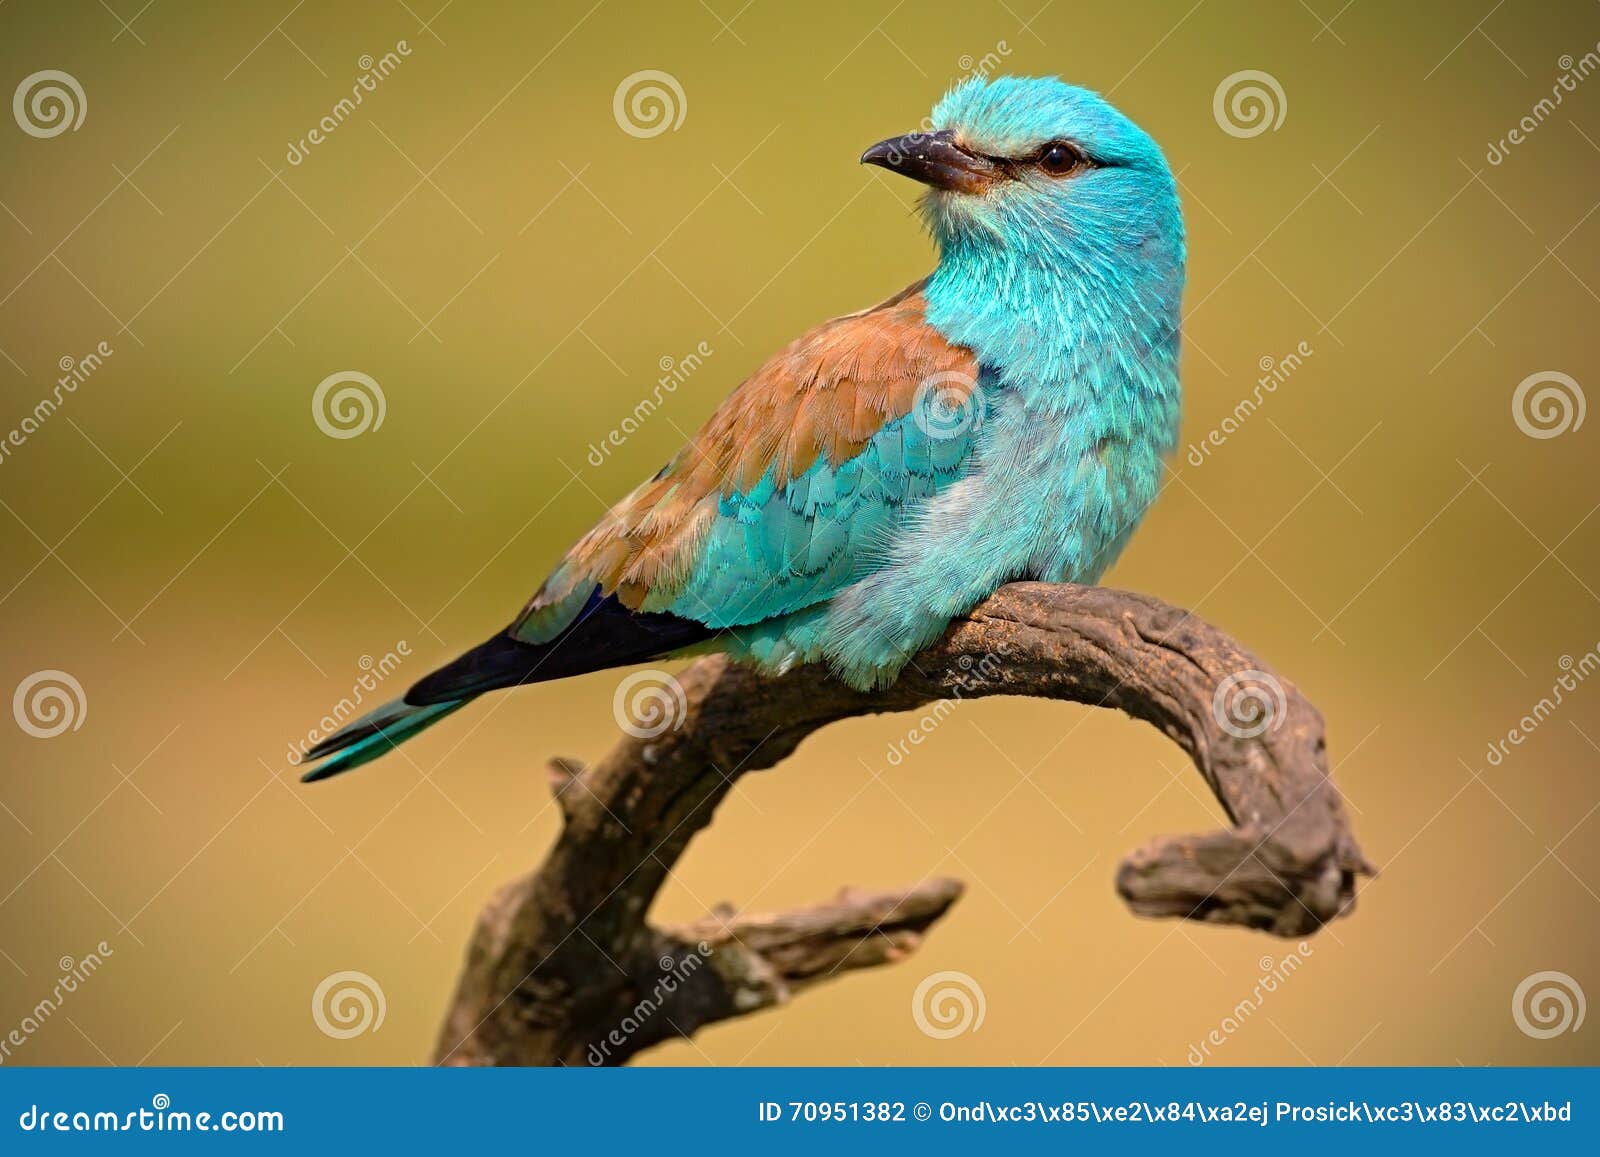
x=564 y=969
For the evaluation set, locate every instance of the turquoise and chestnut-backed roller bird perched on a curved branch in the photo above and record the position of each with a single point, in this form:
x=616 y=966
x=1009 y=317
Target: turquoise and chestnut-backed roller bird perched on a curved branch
x=1004 y=418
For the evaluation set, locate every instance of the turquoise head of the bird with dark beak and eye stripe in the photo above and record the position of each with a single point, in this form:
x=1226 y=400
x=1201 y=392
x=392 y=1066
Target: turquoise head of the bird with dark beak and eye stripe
x=1039 y=167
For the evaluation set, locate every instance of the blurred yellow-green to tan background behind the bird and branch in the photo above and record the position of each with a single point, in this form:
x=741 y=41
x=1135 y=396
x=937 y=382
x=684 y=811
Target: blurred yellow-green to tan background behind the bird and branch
x=484 y=239
